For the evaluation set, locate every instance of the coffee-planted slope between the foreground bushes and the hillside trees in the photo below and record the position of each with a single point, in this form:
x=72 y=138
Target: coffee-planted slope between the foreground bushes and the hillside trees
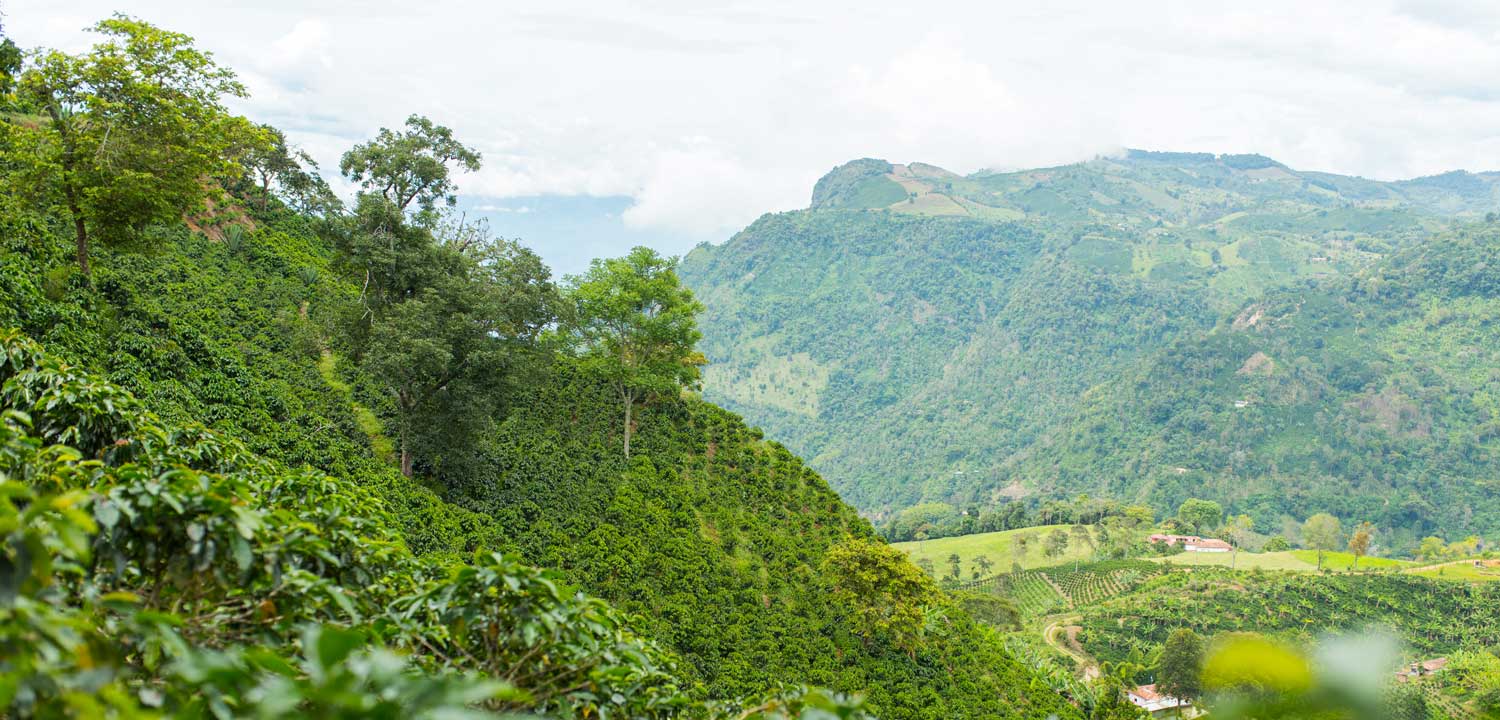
x=712 y=535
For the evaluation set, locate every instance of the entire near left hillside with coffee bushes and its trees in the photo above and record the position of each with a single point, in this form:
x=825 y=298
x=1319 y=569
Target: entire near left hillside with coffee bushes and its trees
x=263 y=452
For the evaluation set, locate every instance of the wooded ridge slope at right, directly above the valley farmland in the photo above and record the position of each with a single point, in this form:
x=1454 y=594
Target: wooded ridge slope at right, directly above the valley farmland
x=1370 y=397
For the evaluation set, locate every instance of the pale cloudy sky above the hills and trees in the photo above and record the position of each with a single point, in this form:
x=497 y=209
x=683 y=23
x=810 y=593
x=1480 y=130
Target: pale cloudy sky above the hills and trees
x=674 y=122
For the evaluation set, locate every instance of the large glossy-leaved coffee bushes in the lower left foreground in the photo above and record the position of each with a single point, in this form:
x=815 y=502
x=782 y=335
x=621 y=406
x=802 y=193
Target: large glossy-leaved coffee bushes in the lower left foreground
x=172 y=568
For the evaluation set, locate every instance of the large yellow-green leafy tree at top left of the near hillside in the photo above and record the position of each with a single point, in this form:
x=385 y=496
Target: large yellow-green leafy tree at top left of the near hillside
x=134 y=130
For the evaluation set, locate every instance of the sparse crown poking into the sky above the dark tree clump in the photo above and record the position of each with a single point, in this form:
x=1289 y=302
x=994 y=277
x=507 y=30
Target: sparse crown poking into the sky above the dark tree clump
x=410 y=166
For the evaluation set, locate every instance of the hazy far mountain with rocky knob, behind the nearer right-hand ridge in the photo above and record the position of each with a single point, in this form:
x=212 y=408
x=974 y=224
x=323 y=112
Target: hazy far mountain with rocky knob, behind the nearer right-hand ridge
x=911 y=347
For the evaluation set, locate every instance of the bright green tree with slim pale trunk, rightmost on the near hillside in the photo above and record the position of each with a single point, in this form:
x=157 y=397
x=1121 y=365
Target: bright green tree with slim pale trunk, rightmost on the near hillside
x=638 y=326
